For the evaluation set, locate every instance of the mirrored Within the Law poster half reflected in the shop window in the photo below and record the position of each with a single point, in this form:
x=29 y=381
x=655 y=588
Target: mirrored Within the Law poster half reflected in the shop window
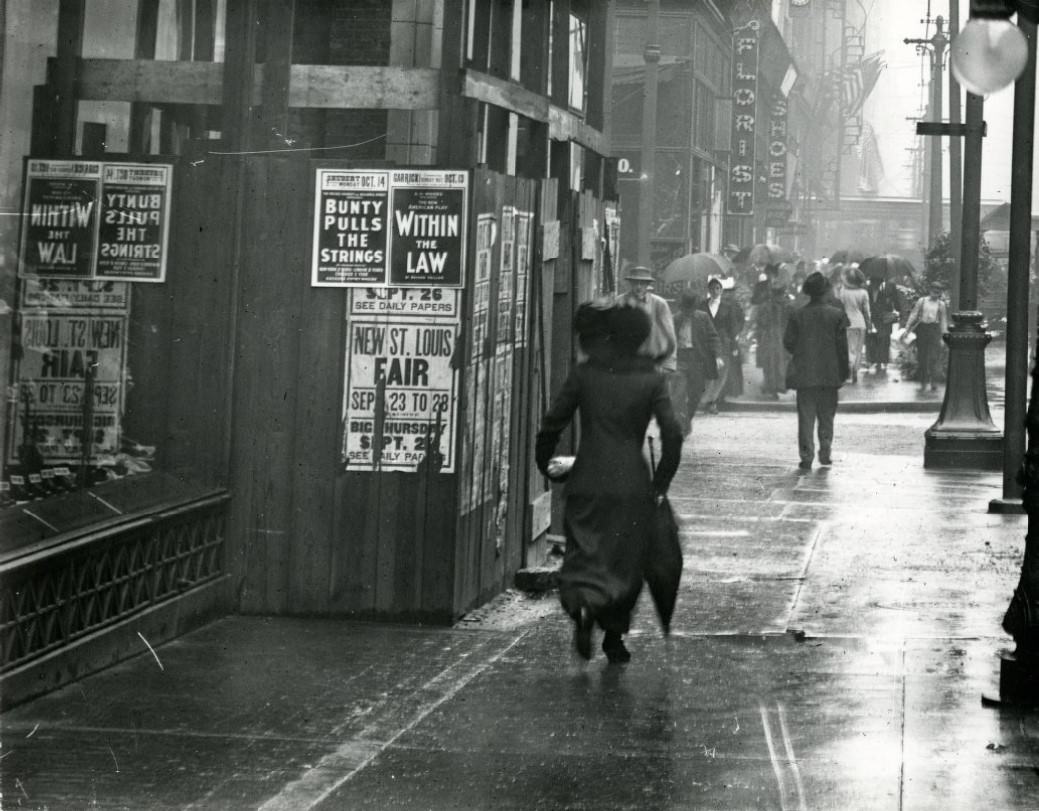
x=61 y=219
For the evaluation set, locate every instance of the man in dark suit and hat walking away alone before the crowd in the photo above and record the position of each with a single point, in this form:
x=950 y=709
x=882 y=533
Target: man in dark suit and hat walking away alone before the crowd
x=817 y=338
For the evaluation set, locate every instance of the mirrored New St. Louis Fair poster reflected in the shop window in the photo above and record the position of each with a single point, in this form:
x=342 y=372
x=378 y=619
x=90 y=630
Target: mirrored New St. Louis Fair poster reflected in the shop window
x=59 y=350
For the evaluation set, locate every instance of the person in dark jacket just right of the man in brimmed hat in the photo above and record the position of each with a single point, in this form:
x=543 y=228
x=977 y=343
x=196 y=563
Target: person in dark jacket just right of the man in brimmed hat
x=700 y=358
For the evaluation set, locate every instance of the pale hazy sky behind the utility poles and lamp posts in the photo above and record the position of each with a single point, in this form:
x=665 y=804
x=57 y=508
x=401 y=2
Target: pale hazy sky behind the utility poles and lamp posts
x=899 y=96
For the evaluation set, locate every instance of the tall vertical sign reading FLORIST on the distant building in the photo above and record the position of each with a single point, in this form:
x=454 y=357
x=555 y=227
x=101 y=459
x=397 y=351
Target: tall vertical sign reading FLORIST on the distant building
x=742 y=177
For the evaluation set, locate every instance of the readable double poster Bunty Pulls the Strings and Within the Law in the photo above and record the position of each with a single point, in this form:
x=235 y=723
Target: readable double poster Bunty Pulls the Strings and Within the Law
x=399 y=228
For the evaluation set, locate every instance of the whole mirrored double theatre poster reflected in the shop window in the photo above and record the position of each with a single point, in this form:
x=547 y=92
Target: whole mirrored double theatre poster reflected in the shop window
x=96 y=221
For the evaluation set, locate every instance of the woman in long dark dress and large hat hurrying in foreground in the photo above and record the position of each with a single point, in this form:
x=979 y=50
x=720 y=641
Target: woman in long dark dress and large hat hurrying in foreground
x=610 y=496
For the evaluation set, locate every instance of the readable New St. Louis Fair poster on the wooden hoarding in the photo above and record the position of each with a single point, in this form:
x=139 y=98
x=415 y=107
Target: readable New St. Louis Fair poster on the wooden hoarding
x=401 y=397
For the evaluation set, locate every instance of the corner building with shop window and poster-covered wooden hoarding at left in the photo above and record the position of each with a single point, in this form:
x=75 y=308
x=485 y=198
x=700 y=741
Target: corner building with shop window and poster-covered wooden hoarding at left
x=291 y=287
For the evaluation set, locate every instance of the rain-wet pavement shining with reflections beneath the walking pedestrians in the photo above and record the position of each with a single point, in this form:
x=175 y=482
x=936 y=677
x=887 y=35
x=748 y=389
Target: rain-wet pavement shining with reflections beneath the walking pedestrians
x=835 y=635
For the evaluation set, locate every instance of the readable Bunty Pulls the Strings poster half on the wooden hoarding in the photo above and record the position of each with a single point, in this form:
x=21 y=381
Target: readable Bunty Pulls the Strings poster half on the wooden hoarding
x=351 y=231
